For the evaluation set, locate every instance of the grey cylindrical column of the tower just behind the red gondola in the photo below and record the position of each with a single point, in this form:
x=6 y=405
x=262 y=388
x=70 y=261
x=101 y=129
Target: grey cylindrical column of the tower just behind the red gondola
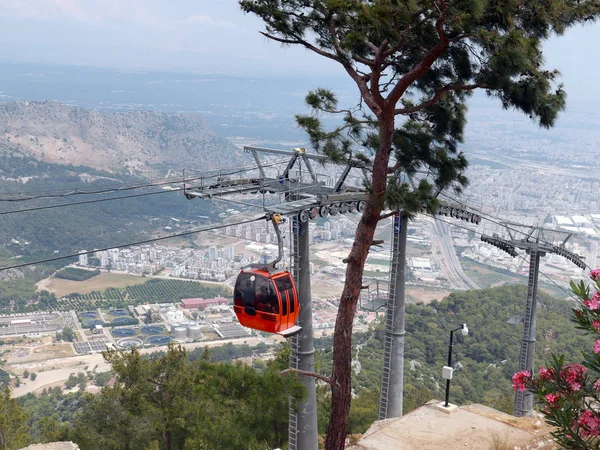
x=303 y=431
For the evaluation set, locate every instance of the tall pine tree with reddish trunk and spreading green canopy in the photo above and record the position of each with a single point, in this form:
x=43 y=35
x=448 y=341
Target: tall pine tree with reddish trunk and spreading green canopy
x=415 y=64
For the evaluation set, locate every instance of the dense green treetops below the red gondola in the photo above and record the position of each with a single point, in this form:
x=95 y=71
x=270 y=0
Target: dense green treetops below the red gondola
x=174 y=403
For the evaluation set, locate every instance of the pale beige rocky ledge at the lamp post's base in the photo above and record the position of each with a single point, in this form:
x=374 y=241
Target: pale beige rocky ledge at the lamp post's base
x=473 y=427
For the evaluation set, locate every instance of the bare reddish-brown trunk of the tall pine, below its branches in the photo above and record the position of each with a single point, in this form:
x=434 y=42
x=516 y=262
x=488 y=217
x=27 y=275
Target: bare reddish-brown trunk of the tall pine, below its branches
x=342 y=339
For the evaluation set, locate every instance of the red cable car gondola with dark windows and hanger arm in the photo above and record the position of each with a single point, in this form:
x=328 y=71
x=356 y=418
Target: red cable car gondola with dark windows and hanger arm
x=267 y=300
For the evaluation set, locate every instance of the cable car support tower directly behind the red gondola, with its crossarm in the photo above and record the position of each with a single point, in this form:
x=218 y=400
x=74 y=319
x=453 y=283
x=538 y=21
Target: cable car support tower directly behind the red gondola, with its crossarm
x=304 y=201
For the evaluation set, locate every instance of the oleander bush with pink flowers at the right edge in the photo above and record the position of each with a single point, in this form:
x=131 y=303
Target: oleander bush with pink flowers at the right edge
x=570 y=393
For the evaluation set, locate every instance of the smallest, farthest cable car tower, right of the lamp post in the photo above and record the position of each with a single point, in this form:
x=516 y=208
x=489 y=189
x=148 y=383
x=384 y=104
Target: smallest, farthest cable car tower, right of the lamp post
x=537 y=243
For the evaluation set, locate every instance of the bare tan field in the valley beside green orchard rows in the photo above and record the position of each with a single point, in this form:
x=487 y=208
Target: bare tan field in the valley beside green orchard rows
x=61 y=287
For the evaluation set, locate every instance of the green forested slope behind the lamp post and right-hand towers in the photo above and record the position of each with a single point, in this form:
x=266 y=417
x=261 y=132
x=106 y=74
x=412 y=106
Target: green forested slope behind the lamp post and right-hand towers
x=489 y=353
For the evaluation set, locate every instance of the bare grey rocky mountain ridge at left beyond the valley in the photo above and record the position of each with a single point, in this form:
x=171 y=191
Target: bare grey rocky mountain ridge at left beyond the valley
x=133 y=141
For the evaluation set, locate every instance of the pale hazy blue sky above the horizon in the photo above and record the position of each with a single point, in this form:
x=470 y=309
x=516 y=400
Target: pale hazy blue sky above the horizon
x=201 y=35
